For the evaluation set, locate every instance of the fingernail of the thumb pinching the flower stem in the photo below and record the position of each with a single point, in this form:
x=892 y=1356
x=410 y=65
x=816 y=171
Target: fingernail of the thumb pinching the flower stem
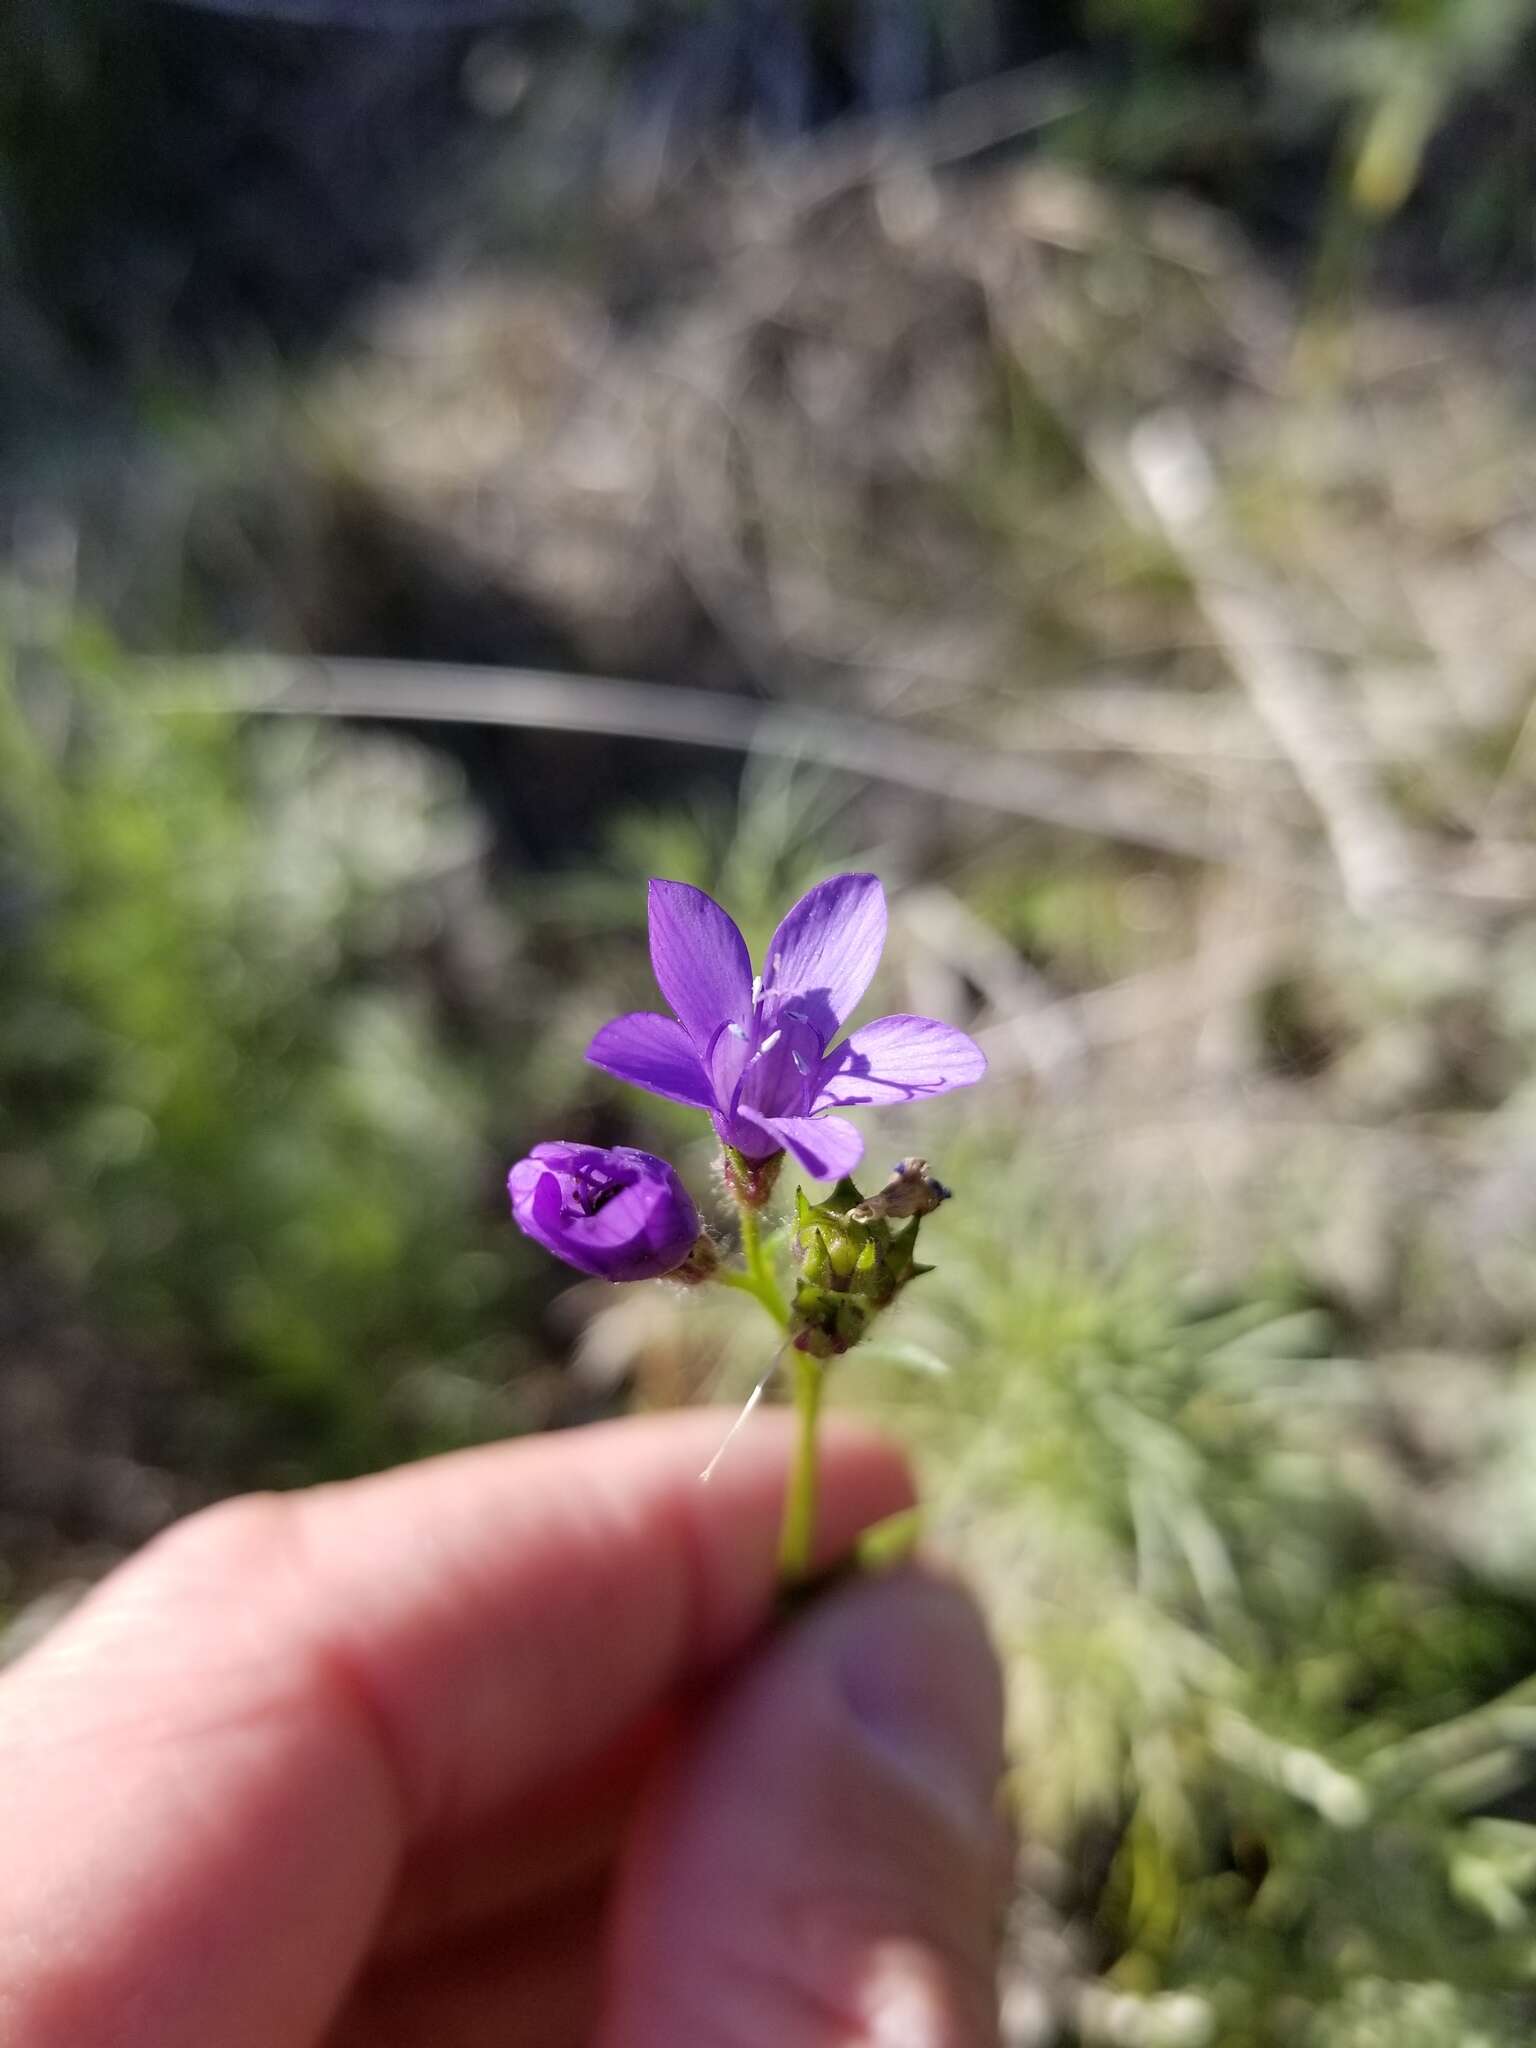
x=925 y=1691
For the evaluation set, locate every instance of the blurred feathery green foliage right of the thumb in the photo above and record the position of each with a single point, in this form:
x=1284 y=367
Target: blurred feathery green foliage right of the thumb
x=1252 y=1719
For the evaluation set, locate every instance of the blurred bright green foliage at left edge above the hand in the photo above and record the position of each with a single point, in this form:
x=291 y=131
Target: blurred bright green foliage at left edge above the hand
x=222 y=1123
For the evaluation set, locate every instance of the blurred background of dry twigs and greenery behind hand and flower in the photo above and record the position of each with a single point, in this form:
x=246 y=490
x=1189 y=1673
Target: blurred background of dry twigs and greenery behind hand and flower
x=460 y=458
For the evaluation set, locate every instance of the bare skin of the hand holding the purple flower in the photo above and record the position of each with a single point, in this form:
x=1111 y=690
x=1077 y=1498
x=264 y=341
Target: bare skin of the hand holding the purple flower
x=507 y=1750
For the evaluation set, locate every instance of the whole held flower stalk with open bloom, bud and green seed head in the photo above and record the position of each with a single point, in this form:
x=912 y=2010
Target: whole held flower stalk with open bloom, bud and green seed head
x=759 y=1054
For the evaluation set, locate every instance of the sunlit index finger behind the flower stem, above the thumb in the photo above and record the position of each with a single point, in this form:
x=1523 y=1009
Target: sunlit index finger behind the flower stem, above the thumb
x=243 y=1732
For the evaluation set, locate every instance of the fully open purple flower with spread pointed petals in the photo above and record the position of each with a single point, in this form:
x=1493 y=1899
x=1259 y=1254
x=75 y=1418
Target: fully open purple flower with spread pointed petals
x=757 y=1052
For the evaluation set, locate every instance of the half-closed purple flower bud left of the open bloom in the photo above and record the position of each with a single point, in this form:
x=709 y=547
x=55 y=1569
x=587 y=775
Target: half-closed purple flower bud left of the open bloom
x=609 y=1211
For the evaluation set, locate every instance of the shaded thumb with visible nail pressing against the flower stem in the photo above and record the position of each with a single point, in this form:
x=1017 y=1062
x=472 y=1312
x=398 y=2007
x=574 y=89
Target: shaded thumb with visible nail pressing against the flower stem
x=820 y=1865
